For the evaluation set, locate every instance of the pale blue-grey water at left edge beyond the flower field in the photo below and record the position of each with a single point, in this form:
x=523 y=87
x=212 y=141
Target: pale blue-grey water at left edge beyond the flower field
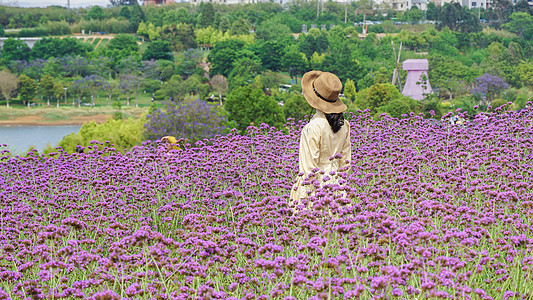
x=20 y=138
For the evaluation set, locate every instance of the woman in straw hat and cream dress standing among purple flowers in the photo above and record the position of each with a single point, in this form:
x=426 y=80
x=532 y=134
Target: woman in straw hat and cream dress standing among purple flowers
x=324 y=137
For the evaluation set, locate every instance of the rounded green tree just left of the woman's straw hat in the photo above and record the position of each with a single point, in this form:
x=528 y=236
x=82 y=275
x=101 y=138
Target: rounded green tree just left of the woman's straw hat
x=248 y=105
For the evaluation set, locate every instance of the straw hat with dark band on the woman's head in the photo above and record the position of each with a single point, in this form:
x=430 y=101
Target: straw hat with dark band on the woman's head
x=321 y=90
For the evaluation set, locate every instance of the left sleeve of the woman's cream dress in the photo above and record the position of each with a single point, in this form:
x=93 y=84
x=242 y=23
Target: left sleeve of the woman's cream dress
x=309 y=149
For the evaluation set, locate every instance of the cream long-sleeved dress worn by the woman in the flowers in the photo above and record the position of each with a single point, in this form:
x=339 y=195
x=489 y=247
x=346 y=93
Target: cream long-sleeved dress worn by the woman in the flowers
x=318 y=144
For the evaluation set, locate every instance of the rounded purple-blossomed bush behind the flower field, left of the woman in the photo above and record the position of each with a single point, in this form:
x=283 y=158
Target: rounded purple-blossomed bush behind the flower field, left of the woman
x=191 y=119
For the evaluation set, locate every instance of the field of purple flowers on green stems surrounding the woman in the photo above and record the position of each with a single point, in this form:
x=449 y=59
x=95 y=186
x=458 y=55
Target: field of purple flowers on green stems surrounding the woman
x=427 y=211
